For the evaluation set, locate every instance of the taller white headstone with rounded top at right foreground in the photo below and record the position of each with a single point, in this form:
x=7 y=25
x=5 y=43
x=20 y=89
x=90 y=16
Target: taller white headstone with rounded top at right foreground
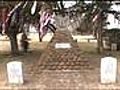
x=108 y=70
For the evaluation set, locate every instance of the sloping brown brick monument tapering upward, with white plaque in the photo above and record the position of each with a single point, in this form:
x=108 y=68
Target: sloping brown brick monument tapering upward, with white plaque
x=62 y=53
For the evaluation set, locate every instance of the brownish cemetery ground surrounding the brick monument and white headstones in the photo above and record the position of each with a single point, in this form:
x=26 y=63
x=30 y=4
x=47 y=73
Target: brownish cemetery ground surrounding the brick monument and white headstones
x=82 y=79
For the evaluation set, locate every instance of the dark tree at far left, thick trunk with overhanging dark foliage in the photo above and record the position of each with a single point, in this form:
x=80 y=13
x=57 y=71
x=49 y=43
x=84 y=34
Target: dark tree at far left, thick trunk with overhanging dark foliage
x=14 y=23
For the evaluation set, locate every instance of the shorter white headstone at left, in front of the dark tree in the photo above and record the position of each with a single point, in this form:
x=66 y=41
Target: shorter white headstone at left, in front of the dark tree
x=14 y=72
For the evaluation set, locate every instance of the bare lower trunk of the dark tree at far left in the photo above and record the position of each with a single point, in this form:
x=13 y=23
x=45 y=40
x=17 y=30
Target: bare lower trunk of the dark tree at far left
x=14 y=44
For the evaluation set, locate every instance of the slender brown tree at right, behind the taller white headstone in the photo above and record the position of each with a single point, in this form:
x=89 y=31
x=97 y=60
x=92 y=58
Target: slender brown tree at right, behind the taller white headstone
x=102 y=7
